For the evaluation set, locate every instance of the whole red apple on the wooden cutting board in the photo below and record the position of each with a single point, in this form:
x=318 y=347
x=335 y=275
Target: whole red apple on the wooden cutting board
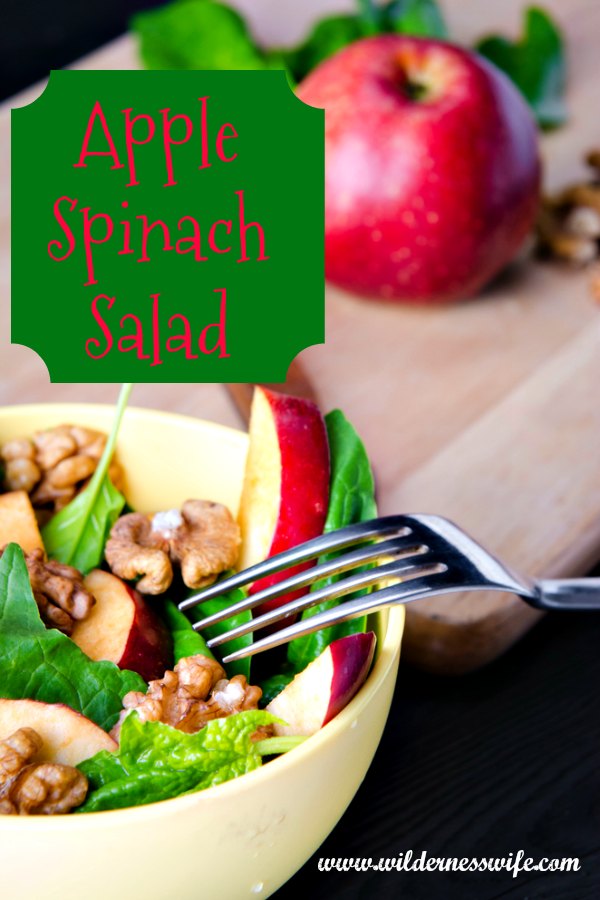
x=432 y=168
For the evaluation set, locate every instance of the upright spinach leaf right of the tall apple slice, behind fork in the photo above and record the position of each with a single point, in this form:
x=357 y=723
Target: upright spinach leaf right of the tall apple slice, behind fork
x=351 y=499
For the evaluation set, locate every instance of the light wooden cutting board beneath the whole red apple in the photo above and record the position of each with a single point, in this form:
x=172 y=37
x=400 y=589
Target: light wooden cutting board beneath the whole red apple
x=486 y=412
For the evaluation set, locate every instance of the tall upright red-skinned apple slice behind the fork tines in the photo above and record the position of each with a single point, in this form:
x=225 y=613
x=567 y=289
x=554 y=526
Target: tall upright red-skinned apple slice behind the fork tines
x=286 y=483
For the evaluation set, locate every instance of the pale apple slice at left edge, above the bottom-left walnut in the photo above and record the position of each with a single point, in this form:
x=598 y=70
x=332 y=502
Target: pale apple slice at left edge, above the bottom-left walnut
x=68 y=736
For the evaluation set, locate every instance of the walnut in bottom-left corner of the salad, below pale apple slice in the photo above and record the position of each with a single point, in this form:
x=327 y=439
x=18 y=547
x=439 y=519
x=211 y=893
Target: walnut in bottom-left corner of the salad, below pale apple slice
x=36 y=788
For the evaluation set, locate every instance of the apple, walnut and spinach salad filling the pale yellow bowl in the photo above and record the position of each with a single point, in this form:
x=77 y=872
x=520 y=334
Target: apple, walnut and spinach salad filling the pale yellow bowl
x=108 y=696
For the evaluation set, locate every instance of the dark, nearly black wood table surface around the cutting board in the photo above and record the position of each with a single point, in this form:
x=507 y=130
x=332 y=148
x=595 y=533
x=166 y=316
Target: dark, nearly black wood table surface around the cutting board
x=501 y=760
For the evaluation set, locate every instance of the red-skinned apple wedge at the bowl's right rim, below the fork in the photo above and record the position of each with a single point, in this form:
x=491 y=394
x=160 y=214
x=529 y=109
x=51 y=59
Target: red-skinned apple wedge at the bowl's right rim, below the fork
x=328 y=683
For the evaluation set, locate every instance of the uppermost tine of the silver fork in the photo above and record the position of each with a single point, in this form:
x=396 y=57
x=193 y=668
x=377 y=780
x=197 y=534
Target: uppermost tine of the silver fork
x=325 y=543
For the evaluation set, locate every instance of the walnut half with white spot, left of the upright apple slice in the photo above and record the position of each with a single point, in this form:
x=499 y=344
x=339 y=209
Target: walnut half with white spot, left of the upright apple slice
x=203 y=539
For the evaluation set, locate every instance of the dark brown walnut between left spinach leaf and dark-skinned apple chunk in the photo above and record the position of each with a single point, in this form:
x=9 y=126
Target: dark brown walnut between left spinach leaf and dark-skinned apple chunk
x=59 y=592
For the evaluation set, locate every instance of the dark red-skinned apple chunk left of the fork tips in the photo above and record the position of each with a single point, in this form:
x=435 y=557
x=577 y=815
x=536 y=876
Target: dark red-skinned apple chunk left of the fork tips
x=122 y=627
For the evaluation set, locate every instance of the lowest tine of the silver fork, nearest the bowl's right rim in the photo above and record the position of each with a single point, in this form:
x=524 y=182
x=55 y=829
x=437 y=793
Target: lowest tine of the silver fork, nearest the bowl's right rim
x=403 y=592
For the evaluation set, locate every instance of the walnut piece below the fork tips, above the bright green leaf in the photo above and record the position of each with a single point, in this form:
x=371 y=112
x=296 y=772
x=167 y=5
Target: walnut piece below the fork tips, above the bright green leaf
x=196 y=691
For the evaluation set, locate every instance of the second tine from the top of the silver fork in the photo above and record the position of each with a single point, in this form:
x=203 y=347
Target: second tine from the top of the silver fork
x=302 y=579
